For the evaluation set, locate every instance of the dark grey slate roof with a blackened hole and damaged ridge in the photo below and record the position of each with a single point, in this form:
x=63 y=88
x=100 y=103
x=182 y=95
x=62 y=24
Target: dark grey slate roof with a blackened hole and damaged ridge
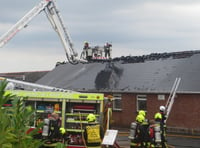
x=151 y=73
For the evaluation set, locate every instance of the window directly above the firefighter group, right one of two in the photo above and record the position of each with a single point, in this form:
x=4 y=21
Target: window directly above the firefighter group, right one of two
x=141 y=102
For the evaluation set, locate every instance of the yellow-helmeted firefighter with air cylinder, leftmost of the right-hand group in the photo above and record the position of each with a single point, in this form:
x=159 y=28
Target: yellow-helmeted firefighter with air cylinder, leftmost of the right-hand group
x=136 y=132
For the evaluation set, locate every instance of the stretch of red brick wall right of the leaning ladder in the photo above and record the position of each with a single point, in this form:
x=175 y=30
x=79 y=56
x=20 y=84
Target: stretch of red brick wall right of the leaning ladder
x=185 y=112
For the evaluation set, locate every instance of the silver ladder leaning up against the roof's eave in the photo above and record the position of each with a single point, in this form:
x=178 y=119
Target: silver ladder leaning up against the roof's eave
x=171 y=97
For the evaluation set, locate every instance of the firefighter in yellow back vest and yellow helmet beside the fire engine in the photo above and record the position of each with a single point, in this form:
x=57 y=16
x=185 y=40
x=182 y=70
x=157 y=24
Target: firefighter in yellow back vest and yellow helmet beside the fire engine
x=93 y=134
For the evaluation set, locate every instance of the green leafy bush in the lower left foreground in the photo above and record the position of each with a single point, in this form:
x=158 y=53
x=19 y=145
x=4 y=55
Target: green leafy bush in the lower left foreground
x=14 y=122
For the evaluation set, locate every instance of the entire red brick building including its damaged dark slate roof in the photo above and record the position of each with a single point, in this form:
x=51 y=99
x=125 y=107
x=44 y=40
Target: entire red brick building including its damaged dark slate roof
x=139 y=82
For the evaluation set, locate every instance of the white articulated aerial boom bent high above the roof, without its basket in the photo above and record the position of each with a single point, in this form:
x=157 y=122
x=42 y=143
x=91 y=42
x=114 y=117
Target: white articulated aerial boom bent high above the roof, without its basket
x=52 y=13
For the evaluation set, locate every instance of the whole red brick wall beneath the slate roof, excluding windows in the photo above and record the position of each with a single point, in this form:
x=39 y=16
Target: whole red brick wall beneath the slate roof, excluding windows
x=185 y=112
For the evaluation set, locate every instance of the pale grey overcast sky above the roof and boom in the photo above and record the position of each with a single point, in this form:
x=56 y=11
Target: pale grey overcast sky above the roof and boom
x=135 y=27
